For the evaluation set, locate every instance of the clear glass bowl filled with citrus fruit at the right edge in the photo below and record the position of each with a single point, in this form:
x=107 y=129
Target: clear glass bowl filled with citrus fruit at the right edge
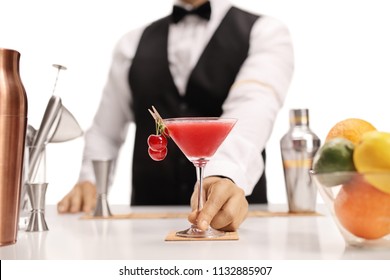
x=352 y=172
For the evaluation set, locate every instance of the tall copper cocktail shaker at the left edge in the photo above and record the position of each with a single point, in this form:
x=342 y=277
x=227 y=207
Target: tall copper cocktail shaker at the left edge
x=13 y=122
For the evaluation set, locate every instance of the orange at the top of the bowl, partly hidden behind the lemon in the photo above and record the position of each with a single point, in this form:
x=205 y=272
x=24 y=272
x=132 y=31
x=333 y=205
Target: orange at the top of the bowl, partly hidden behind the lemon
x=351 y=129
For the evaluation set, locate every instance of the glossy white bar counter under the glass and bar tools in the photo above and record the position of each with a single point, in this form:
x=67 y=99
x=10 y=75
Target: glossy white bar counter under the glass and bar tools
x=268 y=238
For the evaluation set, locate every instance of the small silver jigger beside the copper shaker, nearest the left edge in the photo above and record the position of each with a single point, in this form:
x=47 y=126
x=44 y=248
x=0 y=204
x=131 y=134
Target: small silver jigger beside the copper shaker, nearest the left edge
x=36 y=193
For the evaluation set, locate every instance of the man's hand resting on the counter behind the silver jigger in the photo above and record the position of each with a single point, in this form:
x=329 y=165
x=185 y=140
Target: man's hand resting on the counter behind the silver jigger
x=81 y=198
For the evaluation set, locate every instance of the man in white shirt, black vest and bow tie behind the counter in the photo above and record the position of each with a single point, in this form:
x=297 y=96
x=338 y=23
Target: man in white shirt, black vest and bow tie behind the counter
x=230 y=63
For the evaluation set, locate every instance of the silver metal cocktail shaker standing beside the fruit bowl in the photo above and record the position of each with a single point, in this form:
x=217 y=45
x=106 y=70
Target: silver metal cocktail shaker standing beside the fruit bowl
x=298 y=147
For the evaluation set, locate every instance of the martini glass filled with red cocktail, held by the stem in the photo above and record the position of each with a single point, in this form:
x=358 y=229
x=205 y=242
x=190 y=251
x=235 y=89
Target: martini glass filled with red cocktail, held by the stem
x=199 y=138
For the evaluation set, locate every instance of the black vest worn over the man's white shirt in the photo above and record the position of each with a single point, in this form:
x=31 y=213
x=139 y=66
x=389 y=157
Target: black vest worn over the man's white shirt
x=171 y=181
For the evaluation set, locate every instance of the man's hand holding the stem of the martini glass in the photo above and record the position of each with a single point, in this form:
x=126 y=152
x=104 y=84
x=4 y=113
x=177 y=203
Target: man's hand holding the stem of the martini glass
x=225 y=205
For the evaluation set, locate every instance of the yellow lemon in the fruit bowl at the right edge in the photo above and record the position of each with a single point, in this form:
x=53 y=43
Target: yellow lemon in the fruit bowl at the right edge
x=372 y=156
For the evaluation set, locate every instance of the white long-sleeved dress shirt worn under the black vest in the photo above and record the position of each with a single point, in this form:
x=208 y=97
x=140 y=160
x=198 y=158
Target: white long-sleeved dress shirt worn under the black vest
x=255 y=98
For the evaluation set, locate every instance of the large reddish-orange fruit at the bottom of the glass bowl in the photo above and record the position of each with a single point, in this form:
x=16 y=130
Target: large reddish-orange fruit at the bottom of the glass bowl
x=362 y=209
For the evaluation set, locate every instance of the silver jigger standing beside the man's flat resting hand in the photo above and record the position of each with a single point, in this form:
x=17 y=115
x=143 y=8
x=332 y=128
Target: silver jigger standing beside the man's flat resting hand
x=102 y=169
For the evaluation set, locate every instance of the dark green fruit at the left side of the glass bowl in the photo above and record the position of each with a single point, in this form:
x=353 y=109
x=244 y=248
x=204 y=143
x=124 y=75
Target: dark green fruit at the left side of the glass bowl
x=335 y=156
